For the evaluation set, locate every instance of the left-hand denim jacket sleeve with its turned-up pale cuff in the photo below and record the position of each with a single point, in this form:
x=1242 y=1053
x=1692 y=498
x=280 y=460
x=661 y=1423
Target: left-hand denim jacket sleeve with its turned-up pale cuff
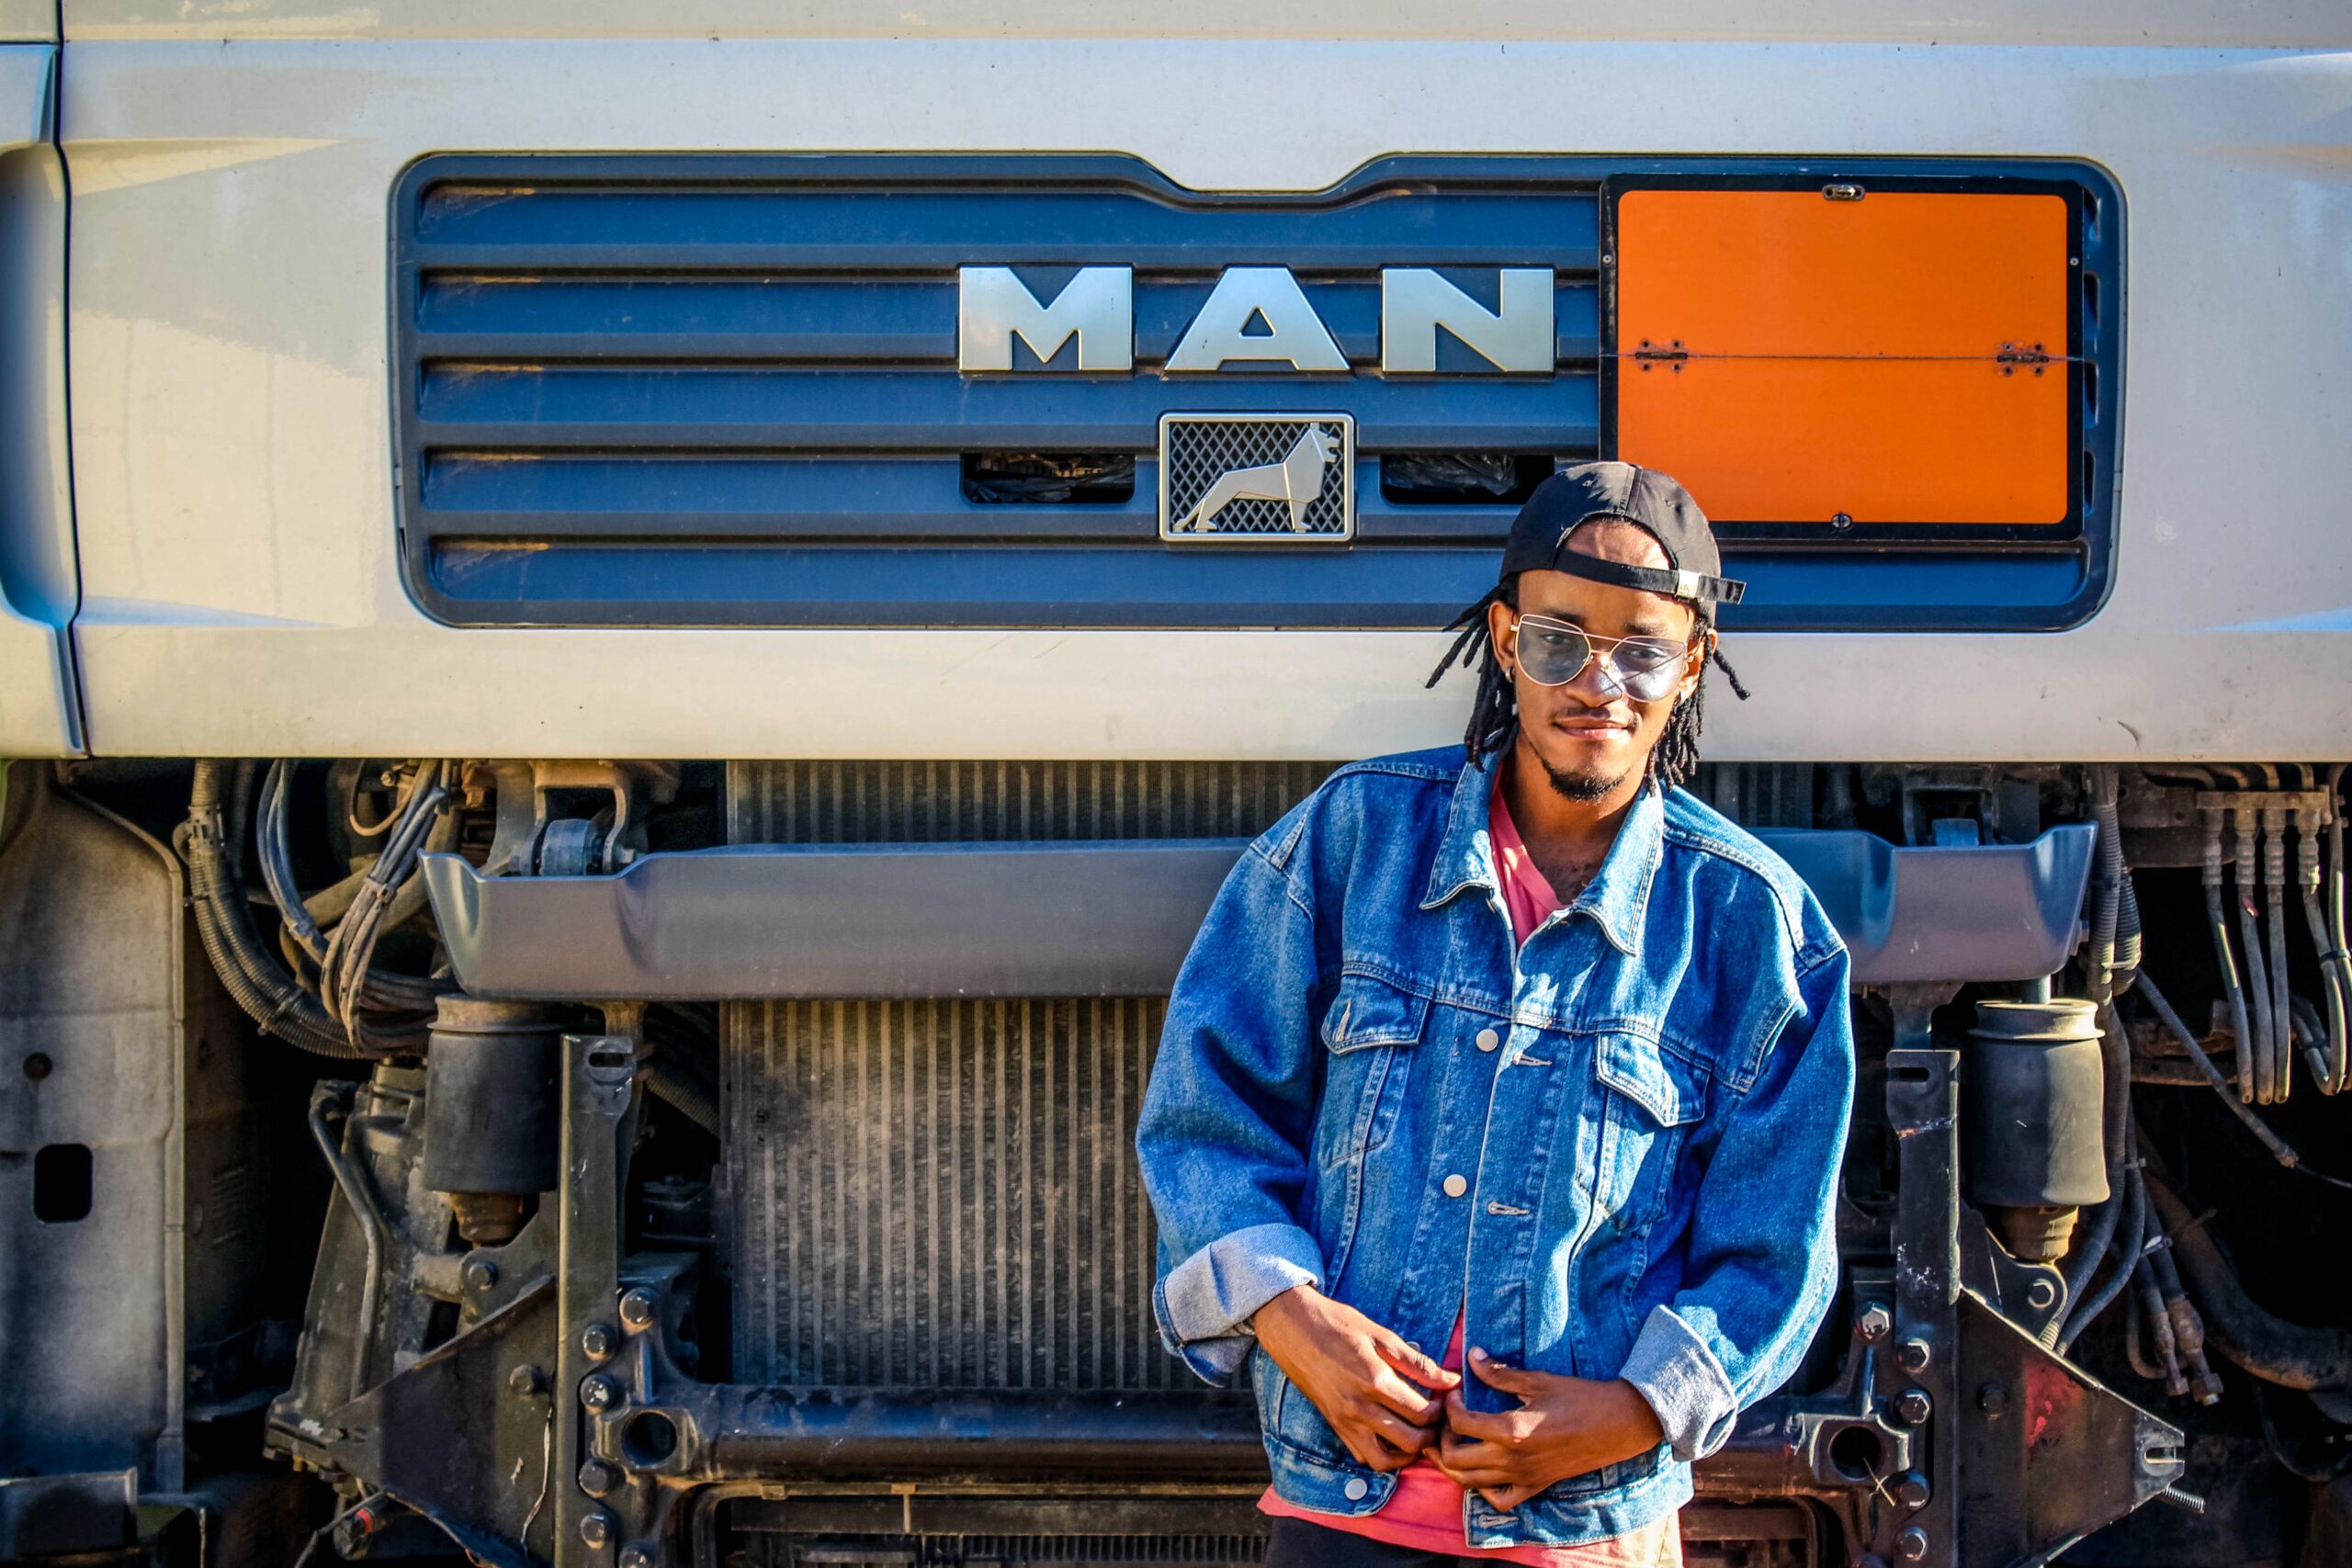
x=1229 y=1120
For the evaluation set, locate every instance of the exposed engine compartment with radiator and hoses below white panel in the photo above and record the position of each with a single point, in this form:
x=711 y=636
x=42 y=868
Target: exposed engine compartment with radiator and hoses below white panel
x=843 y=1259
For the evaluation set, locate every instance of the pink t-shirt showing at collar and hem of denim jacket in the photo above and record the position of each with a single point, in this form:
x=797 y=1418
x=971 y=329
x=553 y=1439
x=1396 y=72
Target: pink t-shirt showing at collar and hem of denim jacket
x=1426 y=1510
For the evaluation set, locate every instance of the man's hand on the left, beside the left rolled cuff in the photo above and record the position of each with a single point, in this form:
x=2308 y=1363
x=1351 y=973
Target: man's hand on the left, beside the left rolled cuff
x=1358 y=1374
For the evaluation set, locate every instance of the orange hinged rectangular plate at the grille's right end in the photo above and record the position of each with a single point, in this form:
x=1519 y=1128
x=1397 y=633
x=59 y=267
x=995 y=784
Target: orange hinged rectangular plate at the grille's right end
x=1897 y=359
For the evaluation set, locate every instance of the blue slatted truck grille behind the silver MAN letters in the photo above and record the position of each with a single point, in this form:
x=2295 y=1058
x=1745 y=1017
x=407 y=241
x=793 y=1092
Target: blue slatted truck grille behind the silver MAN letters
x=723 y=391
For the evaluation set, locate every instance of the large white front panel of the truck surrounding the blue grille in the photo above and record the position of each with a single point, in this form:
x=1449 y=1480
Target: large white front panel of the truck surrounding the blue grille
x=232 y=387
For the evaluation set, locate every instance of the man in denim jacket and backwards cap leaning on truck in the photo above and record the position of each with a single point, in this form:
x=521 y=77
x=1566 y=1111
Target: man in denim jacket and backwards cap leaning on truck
x=1511 y=1047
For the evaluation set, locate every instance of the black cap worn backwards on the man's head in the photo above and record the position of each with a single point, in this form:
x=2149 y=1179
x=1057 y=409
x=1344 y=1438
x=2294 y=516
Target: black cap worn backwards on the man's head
x=1539 y=537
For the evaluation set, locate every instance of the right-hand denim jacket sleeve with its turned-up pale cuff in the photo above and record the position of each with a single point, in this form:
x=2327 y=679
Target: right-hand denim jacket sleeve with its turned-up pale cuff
x=1763 y=1242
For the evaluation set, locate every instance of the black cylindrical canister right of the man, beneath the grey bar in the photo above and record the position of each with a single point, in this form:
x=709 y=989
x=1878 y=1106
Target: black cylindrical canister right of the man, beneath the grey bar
x=2033 y=1115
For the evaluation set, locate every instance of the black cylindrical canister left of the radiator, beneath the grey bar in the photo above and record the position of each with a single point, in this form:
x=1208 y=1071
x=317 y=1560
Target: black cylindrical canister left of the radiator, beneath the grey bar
x=493 y=1113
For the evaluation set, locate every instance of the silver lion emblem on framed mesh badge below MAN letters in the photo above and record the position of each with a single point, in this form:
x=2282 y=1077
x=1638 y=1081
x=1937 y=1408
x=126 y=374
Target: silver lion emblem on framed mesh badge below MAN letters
x=1276 y=478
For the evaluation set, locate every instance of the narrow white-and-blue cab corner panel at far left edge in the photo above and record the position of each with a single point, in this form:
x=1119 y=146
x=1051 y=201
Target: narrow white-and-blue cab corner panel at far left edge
x=39 y=716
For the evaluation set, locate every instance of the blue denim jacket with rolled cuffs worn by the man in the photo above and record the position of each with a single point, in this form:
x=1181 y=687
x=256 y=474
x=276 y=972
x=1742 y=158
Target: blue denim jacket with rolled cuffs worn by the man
x=1615 y=1148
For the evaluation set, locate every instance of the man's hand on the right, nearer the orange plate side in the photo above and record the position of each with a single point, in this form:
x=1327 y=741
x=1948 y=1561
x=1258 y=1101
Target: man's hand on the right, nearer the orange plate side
x=1563 y=1428
